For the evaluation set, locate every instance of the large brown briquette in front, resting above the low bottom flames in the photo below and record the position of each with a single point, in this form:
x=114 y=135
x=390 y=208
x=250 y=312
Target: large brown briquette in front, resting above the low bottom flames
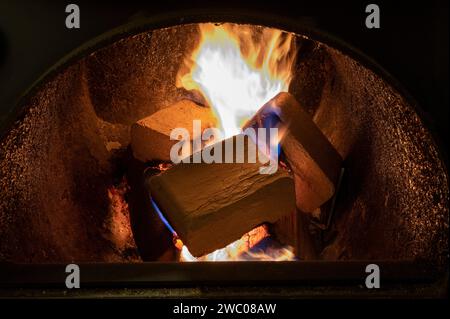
x=212 y=205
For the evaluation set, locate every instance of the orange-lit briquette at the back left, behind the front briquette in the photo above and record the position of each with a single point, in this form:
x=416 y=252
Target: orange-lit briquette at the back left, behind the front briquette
x=150 y=137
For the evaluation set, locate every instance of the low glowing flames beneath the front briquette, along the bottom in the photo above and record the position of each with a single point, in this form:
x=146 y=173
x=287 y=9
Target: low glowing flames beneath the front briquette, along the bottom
x=241 y=250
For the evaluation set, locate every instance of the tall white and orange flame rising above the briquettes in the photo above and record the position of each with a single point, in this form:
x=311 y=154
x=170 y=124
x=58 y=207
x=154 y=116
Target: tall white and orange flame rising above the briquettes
x=238 y=69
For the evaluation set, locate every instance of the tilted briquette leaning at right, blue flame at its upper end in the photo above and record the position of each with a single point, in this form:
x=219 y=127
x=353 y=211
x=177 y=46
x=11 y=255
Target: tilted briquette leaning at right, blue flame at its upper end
x=314 y=161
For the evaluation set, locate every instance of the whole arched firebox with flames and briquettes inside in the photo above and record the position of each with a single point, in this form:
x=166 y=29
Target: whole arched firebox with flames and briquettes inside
x=87 y=176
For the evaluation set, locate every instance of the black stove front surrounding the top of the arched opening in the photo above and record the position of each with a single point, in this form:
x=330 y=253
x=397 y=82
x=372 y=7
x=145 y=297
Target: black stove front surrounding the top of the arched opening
x=412 y=43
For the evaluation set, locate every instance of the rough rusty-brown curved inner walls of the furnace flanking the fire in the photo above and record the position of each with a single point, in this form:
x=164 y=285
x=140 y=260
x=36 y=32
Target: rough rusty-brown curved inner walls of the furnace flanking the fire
x=69 y=146
